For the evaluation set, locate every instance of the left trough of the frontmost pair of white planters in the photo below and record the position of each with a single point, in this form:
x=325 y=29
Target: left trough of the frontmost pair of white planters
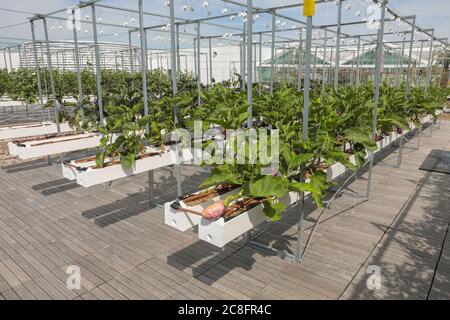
x=183 y=221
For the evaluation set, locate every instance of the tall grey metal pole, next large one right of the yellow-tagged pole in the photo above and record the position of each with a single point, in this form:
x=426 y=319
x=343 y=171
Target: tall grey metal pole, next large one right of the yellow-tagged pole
x=377 y=90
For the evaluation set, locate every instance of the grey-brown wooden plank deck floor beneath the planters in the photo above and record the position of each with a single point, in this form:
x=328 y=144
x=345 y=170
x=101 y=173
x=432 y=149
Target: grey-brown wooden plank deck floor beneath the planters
x=125 y=251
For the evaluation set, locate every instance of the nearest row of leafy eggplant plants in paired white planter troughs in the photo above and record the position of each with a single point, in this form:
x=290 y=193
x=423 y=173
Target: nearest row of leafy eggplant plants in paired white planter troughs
x=237 y=197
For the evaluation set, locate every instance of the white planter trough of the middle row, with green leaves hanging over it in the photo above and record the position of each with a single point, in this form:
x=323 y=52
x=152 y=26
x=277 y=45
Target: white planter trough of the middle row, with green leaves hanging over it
x=86 y=176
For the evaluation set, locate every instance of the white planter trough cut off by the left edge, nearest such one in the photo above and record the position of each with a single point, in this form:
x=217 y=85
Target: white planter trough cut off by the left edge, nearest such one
x=31 y=130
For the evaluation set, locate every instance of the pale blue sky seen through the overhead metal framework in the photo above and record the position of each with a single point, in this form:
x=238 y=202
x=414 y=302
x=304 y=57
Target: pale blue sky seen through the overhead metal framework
x=430 y=13
